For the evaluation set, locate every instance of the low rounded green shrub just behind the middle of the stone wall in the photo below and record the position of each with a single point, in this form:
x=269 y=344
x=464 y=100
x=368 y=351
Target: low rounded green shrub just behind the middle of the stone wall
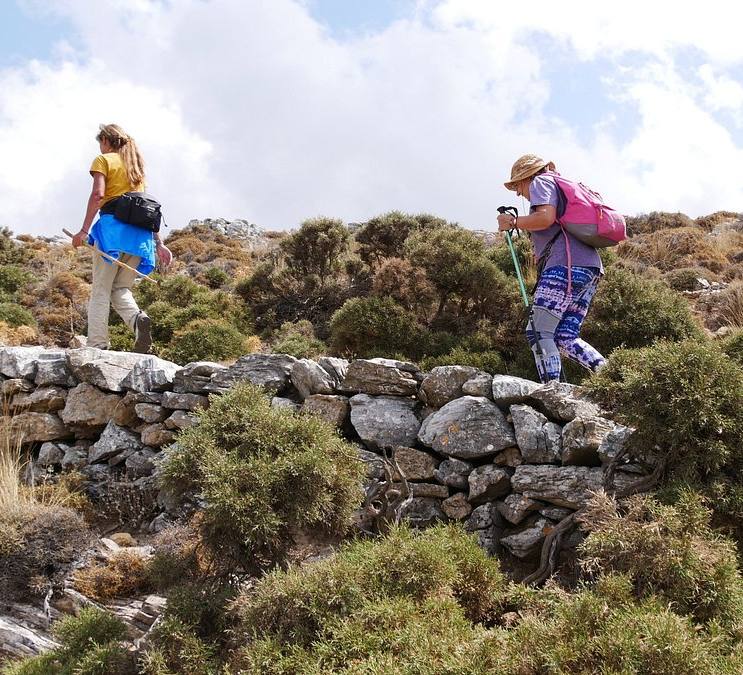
x=369 y=327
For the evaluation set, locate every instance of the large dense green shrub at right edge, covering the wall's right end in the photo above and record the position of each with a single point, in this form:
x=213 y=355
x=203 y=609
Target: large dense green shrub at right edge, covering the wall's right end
x=684 y=399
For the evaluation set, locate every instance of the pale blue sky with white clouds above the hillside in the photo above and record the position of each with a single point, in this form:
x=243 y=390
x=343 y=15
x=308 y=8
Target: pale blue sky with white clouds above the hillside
x=280 y=110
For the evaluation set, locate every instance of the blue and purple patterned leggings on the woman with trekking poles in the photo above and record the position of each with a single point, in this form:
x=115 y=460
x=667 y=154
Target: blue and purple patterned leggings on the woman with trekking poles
x=557 y=319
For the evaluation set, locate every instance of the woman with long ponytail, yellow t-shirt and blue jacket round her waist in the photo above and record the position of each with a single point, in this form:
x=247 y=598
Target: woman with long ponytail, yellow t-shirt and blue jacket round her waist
x=117 y=170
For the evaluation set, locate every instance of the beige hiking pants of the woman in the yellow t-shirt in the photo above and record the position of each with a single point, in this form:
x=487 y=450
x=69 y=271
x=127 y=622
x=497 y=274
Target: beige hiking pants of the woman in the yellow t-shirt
x=112 y=285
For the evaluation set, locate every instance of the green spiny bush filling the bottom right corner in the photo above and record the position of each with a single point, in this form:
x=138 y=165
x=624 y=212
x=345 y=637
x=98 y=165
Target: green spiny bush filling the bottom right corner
x=602 y=630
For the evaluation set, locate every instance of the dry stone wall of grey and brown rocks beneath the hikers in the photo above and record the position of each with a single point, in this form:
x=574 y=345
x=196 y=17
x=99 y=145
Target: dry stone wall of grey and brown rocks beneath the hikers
x=506 y=456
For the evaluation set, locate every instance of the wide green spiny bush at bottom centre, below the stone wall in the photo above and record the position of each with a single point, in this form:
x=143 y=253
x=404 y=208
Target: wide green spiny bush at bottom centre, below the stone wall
x=410 y=599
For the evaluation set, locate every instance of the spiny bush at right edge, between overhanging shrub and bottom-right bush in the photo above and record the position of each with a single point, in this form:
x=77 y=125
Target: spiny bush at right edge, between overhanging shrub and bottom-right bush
x=668 y=551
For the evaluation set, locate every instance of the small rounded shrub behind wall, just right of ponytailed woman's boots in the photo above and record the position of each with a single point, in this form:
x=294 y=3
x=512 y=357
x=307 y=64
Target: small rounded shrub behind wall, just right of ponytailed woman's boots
x=205 y=340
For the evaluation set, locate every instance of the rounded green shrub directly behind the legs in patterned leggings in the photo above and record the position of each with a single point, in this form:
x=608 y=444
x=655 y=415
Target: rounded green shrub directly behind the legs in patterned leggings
x=631 y=311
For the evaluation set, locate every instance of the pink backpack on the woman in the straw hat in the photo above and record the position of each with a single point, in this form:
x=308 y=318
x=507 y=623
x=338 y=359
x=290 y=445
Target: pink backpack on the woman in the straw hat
x=582 y=212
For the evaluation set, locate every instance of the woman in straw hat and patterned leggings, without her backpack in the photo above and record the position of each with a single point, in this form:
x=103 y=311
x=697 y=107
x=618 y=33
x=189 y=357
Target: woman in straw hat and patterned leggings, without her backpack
x=568 y=272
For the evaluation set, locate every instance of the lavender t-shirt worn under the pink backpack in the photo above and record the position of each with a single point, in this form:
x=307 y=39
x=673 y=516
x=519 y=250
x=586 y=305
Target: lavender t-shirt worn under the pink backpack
x=542 y=191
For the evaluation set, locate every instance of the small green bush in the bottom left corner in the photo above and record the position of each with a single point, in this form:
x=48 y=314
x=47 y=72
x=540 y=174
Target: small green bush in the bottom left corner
x=90 y=645
